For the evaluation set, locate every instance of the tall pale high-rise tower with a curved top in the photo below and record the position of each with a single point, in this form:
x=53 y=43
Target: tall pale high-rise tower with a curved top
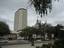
x=20 y=20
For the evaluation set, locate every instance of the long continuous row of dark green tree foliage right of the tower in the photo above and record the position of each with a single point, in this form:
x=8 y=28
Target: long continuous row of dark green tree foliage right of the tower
x=49 y=29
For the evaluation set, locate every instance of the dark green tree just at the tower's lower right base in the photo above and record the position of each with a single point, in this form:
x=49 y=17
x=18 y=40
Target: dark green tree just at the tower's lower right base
x=28 y=32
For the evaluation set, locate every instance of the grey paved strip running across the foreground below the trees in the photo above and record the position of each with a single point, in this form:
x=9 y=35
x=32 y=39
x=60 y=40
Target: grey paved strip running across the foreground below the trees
x=14 y=42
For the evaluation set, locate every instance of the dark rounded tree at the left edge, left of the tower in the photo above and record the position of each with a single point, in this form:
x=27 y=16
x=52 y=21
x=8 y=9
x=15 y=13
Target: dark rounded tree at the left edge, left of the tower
x=4 y=29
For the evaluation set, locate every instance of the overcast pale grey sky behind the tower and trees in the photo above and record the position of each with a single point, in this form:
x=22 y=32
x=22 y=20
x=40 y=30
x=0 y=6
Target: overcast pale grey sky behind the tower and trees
x=9 y=7
